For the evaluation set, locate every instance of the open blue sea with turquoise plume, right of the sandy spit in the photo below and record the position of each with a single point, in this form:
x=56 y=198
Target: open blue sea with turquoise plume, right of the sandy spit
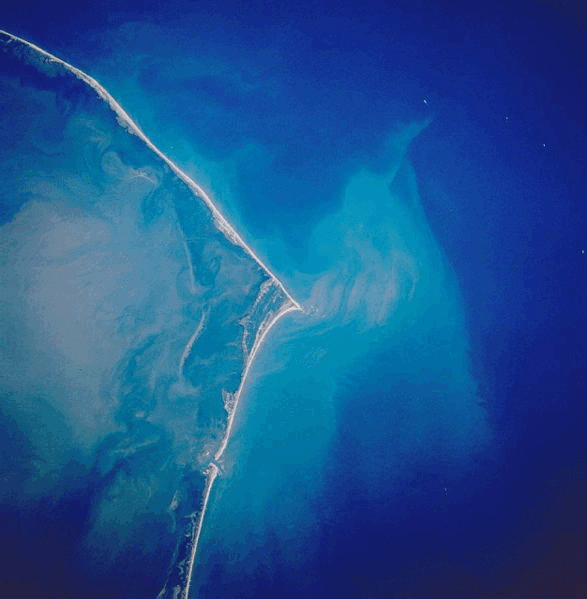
x=429 y=447
